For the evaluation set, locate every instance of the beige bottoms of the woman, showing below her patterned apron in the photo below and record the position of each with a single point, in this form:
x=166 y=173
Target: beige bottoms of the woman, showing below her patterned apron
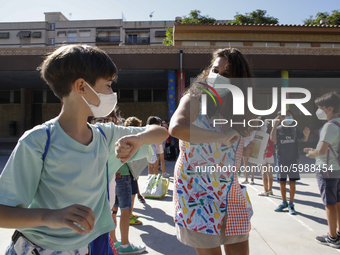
x=206 y=241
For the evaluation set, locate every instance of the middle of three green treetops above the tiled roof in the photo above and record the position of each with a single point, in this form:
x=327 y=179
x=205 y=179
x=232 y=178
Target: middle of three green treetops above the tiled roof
x=255 y=17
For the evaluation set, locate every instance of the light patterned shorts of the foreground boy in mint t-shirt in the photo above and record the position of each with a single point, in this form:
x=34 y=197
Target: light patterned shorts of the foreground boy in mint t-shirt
x=24 y=247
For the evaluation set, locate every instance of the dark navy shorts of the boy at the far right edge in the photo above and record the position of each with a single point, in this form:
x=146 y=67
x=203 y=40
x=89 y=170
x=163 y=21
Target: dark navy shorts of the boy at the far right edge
x=329 y=187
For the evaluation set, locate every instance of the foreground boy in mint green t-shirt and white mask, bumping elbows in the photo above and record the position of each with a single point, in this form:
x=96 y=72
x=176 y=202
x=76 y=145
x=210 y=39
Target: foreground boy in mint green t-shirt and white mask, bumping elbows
x=60 y=203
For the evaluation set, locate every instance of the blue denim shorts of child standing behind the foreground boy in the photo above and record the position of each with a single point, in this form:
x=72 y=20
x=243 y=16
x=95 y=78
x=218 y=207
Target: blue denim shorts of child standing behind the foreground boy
x=123 y=192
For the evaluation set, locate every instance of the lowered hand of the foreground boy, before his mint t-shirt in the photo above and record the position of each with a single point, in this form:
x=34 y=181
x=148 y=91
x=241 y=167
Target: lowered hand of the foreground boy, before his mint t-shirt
x=69 y=216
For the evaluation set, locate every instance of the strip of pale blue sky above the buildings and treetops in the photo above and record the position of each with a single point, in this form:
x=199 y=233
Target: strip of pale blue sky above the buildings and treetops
x=288 y=11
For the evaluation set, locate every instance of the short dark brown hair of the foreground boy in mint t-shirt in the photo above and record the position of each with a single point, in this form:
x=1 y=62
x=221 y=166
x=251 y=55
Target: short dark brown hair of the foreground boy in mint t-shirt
x=68 y=63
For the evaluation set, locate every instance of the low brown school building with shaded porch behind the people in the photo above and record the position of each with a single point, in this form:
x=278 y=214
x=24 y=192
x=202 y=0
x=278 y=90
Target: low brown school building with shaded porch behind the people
x=152 y=78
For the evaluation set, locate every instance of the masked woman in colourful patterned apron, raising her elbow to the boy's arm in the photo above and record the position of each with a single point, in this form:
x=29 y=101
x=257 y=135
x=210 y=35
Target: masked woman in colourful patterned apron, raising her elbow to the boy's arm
x=211 y=207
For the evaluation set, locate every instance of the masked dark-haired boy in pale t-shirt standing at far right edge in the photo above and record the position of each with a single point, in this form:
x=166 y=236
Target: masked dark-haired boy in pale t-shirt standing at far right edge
x=327 y=165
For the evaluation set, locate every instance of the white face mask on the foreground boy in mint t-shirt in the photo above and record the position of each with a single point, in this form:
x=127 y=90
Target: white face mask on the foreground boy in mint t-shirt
x=106 y=105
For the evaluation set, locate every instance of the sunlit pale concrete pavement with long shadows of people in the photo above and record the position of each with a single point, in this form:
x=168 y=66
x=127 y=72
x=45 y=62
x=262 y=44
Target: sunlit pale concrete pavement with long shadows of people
x=272 y=232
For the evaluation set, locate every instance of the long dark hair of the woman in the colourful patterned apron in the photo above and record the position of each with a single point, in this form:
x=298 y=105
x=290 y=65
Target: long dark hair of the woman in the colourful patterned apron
x=238 y=69
